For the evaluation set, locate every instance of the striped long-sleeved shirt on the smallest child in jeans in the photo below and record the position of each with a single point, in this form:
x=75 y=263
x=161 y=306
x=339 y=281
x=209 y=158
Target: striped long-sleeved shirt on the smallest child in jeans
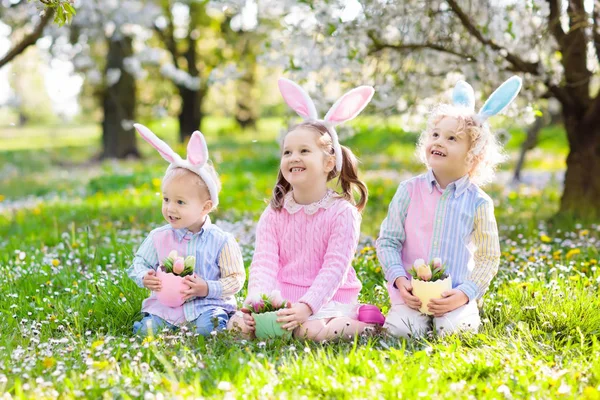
x=218 y=261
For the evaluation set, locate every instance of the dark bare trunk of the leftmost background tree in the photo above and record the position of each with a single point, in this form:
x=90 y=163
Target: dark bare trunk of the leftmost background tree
x=118 y=135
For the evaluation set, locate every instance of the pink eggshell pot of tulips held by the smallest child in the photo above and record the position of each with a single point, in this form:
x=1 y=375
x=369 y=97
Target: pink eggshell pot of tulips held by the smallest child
x=171 y=274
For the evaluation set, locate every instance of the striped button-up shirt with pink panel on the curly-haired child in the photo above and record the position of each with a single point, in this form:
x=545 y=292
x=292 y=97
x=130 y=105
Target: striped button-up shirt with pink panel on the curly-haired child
x=456 y=224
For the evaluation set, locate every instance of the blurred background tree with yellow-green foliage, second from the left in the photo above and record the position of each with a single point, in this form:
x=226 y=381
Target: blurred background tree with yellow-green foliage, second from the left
x=204 y=50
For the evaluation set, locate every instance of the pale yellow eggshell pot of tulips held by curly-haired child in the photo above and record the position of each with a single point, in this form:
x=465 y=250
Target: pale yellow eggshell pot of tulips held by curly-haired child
x=429 y=281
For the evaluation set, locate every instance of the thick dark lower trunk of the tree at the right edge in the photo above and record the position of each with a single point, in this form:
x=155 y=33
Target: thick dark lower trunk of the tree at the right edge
x=581 y=195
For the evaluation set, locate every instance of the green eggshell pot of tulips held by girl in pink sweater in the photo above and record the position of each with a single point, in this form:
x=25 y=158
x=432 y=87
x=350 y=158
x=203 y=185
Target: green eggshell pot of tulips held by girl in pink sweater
x=263 y=310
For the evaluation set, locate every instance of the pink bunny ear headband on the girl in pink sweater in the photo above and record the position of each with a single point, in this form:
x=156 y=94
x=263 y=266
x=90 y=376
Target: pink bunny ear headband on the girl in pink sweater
x=346 y=108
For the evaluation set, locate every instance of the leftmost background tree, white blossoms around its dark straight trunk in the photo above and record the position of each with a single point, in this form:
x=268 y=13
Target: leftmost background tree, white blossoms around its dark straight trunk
x=100 y=42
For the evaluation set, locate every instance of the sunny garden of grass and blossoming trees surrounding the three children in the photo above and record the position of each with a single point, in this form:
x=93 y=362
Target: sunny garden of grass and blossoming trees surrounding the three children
x=79 y=191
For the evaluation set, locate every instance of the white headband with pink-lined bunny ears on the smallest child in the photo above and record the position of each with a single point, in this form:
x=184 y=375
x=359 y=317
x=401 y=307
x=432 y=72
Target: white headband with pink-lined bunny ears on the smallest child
x=196 y=158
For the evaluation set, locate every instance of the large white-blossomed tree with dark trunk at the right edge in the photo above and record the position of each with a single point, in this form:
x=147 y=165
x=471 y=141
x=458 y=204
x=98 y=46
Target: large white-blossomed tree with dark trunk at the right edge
x=412 y=49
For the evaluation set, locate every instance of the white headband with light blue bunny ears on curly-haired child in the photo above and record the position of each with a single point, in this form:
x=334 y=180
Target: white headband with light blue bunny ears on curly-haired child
x=463 y=96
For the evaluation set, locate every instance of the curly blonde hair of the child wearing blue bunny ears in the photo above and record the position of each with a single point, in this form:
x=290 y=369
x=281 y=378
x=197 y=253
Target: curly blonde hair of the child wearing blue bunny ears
x=485 y=152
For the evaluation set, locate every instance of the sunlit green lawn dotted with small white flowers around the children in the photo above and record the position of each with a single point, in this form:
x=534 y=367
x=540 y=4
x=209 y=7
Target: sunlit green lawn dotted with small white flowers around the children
x=69 y=230
